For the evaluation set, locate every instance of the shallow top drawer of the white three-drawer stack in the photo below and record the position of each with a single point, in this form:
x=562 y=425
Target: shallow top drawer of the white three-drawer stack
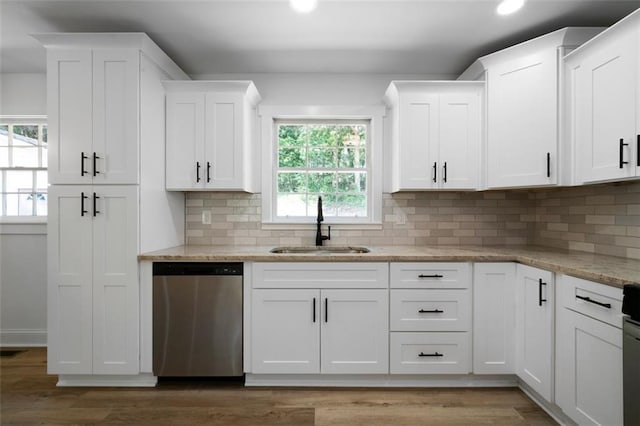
x=430 y=275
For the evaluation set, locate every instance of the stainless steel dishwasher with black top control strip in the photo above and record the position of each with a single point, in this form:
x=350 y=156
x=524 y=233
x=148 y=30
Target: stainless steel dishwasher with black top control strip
x=197 y=319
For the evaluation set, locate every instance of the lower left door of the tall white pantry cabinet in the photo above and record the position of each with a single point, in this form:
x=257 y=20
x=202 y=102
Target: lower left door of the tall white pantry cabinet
x=69 y=288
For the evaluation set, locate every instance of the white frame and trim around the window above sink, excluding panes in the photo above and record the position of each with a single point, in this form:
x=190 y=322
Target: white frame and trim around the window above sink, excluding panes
x=272 y=115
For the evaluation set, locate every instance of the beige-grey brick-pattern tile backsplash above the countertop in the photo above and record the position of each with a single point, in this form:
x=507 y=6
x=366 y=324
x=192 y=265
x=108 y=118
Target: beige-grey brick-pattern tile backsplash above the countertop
x=597 y=218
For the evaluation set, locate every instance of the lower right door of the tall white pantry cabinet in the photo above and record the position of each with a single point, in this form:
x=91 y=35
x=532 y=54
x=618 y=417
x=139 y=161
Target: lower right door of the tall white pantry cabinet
x=115 y=280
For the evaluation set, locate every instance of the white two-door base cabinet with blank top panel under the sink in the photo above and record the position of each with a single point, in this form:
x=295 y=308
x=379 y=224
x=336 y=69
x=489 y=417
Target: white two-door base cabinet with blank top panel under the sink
x=311 y=330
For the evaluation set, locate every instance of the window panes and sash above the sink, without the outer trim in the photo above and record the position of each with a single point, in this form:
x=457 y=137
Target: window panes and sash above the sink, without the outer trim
x=325 y=159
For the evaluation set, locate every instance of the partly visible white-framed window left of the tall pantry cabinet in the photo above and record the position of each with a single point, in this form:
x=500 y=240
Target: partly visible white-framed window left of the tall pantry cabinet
x=23 y=167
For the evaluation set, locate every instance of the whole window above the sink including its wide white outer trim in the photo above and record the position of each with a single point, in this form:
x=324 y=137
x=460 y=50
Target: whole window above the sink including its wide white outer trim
x=322 y=151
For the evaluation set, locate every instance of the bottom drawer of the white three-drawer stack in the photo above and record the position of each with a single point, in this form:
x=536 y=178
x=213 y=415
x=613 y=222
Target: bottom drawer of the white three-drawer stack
x=430 y=353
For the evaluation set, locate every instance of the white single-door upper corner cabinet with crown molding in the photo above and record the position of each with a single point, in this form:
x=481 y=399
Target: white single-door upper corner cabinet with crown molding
x=523 y=116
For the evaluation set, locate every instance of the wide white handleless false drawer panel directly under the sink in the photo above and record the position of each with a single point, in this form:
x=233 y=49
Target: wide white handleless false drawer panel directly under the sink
x=320 y=275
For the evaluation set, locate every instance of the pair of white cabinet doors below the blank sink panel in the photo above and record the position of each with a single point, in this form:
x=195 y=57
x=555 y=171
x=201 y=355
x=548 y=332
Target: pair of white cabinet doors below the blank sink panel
x=311 y=331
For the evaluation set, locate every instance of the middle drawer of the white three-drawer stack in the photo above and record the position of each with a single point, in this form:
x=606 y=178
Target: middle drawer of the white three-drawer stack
x=430 y=310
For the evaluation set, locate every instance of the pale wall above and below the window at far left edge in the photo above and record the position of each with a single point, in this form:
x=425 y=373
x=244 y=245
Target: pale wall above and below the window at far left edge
x=23 y=254
